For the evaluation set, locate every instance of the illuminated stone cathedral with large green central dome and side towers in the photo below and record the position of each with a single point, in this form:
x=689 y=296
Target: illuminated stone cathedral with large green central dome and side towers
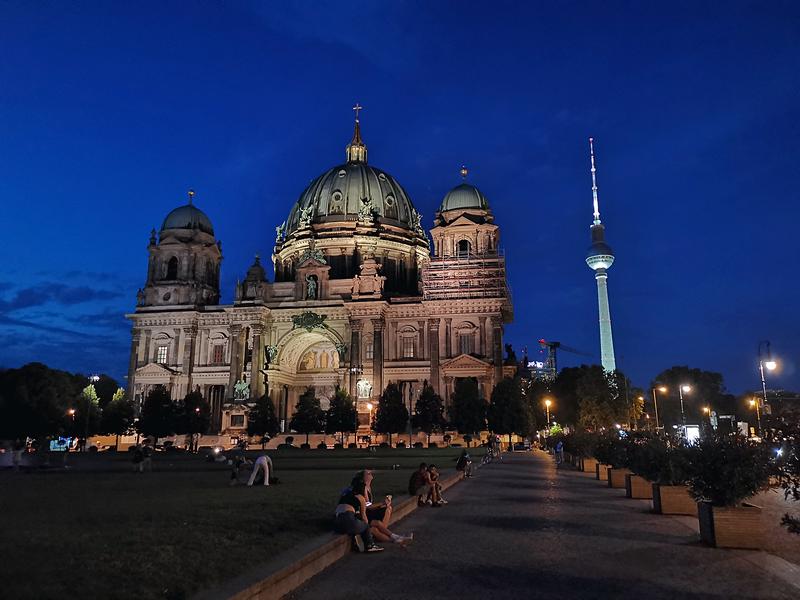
x=361 y=297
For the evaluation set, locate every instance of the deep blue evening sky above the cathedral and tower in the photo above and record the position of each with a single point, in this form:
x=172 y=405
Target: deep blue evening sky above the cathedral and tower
x=108 y=113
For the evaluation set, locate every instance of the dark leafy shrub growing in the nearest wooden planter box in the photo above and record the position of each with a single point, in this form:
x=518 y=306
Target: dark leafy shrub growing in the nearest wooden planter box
x=726 y=469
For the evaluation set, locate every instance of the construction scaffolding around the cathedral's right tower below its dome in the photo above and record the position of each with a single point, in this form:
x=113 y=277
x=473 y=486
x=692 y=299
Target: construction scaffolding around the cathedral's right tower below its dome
x=465 y=276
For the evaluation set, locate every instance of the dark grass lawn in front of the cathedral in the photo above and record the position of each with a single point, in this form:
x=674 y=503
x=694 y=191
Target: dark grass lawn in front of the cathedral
x=100 y=531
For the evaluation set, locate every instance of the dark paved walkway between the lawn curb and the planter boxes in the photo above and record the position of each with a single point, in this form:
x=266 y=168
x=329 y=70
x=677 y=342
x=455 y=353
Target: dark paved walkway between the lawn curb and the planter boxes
x=523 y=530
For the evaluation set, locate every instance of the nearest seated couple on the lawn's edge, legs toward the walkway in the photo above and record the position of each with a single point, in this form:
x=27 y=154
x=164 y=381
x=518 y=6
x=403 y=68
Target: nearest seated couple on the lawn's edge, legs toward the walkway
x=356 y=515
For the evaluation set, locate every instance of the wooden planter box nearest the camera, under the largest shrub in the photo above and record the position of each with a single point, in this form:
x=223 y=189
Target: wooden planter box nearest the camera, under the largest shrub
x=731 y=526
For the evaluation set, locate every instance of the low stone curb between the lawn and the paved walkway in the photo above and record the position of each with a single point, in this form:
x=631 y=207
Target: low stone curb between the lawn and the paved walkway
x=296 y=566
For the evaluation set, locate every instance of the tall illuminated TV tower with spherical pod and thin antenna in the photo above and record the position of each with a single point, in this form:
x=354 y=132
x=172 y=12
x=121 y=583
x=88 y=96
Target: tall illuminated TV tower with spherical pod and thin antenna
x=600 y=258
